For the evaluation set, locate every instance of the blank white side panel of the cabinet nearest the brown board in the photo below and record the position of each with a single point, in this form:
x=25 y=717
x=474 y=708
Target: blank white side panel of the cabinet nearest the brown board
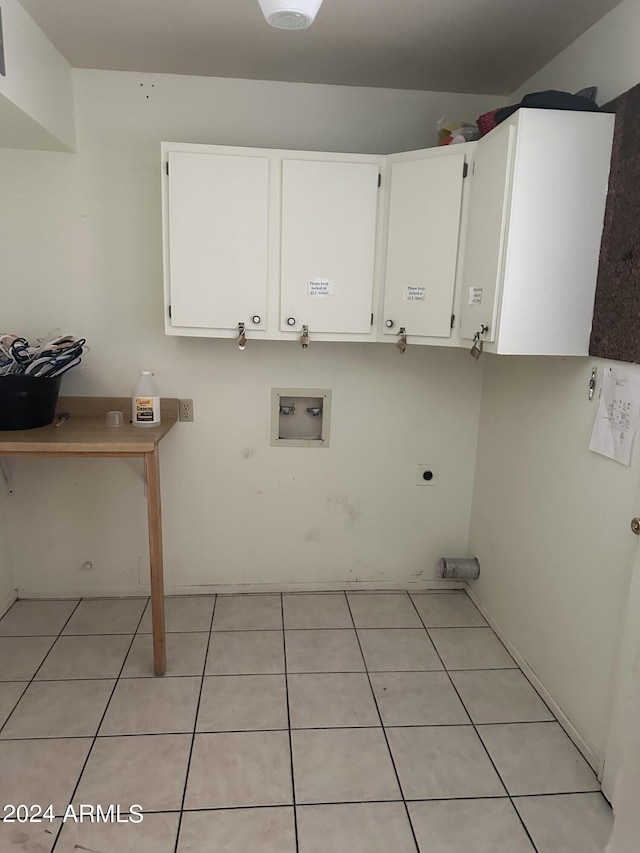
x=557 y=211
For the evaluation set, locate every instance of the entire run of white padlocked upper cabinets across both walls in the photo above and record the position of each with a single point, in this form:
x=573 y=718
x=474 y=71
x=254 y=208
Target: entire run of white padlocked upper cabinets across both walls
x=497 y=239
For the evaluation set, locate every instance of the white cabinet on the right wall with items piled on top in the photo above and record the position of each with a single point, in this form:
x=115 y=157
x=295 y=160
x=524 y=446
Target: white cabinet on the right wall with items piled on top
x=534 y=231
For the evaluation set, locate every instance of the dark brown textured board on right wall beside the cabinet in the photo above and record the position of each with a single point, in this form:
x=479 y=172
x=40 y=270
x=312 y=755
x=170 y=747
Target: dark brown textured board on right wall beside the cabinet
x=615 y=331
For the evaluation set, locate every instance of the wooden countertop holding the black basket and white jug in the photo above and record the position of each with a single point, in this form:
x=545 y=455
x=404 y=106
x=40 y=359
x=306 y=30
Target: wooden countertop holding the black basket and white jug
x=85 y=433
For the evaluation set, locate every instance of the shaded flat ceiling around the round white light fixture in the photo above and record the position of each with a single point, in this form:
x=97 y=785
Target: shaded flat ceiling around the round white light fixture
x=474 y=46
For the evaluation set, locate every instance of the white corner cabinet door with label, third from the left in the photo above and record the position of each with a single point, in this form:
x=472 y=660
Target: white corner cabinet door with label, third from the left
x=422 y=247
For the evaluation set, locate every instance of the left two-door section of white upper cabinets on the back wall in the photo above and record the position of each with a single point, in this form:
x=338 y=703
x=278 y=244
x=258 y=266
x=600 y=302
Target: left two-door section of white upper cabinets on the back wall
x=270 y=241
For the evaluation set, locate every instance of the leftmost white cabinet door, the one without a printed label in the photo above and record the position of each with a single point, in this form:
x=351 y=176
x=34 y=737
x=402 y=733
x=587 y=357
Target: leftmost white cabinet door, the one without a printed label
x=217 y=232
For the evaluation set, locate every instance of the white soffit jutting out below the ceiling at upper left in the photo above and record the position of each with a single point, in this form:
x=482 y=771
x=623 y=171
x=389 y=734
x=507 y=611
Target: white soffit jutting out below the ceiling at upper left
x=36 y=98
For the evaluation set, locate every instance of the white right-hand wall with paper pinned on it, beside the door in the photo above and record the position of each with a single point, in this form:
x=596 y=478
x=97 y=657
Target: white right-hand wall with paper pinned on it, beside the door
x=550 y=520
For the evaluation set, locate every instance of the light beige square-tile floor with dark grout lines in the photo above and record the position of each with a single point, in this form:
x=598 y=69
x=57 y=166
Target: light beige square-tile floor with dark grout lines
x=297 y=723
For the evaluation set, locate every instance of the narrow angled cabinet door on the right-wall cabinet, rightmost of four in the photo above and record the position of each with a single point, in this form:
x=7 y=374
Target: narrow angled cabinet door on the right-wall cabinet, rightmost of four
x=487 y=234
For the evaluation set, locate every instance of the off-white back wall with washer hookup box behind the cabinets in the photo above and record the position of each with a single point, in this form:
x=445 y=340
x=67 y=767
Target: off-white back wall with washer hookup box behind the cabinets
x=80 y=240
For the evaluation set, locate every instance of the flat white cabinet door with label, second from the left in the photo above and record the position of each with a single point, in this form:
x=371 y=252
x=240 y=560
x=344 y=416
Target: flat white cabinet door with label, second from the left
x=328 y=245
